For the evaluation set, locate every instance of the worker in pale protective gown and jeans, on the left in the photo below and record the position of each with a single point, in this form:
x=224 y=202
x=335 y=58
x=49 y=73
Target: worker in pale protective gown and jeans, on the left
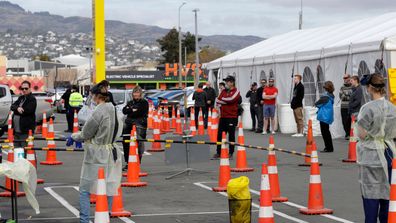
x=99 y=134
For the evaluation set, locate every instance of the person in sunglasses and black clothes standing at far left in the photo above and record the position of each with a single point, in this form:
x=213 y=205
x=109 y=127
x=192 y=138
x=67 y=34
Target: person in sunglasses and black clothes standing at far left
x=24 y=118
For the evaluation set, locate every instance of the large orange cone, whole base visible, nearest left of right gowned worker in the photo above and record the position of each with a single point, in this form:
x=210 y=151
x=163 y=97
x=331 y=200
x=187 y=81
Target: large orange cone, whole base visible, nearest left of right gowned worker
x=315 y=197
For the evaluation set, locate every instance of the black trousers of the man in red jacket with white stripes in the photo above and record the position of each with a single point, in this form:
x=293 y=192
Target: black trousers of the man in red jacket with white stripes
x=227 y=125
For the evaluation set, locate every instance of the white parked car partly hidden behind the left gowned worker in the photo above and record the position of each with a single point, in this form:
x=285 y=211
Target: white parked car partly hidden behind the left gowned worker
x=121 y=97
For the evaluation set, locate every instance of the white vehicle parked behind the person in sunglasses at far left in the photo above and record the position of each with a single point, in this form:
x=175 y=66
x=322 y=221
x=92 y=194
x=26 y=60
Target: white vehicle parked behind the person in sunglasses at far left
x=44 y=104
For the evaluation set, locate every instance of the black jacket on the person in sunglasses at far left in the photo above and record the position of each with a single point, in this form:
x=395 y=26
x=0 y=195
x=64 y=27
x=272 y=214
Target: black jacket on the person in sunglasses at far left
x=27 y=119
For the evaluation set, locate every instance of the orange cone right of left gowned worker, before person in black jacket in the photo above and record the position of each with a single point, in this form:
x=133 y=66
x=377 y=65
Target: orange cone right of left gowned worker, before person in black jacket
x=133 y=179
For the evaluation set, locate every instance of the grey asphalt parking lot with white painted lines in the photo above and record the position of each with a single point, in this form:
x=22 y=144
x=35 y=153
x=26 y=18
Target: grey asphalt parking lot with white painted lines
x=189 y=198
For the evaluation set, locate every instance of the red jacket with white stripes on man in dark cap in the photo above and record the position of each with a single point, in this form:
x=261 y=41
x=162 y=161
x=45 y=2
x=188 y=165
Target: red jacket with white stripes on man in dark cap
x=229 y=100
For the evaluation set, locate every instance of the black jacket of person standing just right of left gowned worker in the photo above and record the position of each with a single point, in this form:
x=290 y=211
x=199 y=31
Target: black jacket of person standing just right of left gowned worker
x=136 y=117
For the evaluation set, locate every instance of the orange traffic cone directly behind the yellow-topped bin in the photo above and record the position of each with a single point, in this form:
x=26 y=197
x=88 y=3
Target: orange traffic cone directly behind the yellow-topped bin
x=224 y=170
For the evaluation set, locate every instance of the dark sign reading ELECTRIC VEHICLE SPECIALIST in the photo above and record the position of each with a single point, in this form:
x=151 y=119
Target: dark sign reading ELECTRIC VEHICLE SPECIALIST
x=134 y=75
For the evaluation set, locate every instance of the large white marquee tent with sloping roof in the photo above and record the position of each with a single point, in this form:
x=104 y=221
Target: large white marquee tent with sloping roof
x=319 y=54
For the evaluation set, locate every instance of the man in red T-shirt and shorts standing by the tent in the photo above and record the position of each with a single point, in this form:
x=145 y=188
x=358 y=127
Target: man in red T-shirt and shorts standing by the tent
x=269 y=95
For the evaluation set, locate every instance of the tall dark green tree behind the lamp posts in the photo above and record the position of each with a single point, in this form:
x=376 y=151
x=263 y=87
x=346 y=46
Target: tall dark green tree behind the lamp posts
x=170 y=45
